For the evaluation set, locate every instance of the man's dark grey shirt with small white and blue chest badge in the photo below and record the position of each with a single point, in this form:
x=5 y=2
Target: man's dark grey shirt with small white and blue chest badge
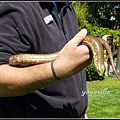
x=34 y=27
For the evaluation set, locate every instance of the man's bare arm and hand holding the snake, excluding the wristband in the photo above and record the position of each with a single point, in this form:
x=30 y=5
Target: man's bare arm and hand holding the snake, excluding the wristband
x=19 y=81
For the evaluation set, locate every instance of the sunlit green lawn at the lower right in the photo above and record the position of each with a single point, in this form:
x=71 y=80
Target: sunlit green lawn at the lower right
x=104 y=98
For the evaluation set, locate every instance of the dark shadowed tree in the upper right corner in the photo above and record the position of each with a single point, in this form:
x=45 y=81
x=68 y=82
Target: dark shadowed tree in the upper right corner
x=105 y=14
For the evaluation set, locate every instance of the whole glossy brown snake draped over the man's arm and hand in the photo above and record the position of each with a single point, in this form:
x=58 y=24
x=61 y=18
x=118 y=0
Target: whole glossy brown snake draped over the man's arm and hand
x=97 y=45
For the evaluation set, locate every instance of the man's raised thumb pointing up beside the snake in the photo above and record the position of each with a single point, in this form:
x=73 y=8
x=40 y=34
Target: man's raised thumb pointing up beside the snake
x=79 y=36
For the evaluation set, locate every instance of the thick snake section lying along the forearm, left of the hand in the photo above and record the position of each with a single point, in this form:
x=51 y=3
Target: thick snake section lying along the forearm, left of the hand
x=31 y=59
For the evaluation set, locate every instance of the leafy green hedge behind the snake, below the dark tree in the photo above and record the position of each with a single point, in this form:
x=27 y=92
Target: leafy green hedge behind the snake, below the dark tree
x=99 y=32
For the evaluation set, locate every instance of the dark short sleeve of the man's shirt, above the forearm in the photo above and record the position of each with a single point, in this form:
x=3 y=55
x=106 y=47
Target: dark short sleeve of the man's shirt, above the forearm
x=11 y=40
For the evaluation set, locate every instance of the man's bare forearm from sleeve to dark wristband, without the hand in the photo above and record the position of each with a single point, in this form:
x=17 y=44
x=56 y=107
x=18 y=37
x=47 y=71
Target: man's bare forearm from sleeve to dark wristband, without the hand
x=19 y=81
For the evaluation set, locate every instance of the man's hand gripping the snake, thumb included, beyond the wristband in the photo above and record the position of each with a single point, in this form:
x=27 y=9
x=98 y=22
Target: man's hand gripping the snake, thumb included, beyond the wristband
x=74 y=56
